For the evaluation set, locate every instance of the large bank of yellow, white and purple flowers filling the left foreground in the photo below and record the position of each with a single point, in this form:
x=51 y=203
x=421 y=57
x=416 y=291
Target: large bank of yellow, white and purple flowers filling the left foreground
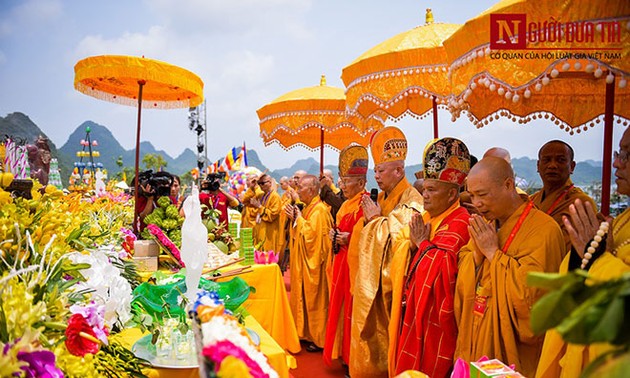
x=61 y=298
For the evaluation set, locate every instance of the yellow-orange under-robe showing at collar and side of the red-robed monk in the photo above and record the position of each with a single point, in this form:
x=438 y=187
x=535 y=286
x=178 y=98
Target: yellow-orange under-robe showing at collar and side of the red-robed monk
x=400 y=265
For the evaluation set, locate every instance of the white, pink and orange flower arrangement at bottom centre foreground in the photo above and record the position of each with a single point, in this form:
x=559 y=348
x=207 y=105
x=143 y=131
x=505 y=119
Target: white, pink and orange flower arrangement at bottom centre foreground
x=228 y=351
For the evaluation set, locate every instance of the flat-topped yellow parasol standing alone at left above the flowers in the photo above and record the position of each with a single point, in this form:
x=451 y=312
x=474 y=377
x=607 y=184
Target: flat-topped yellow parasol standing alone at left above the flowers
x=138 y=82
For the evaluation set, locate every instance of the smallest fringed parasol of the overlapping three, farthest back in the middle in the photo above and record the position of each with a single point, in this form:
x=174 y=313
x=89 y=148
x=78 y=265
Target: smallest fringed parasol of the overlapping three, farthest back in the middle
x=313 y=117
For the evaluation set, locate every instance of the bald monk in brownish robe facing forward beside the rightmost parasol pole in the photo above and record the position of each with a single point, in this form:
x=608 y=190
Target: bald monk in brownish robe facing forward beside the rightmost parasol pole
x=555 y=166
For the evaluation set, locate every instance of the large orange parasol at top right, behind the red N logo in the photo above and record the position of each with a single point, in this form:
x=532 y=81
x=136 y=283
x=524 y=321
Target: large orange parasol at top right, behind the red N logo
x=561 y=61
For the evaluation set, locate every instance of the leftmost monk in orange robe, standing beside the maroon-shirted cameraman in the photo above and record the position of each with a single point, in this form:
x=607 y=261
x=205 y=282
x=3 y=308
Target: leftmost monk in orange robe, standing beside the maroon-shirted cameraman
x=267 y=208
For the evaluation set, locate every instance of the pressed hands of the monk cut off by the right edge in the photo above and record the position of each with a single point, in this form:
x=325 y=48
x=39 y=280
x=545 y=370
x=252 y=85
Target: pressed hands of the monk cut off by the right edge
x=582 y=226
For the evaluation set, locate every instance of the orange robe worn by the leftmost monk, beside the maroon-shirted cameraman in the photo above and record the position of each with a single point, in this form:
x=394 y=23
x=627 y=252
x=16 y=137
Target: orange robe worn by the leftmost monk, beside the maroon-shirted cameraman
x=267 y=228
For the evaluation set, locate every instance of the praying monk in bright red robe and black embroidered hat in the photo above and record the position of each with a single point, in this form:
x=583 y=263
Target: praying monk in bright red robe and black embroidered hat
x=422 y=329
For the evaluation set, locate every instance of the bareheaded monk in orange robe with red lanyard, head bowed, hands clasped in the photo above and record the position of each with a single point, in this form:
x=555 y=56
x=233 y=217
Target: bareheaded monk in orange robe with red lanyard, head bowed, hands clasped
x=492 y=300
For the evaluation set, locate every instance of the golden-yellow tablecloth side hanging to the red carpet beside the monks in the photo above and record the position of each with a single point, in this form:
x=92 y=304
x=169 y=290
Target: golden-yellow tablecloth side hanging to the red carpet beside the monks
x=270 y=304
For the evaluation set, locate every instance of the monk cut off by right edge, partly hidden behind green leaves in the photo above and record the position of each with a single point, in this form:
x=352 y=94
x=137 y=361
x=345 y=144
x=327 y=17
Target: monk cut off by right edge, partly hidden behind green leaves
x=611 y=260
